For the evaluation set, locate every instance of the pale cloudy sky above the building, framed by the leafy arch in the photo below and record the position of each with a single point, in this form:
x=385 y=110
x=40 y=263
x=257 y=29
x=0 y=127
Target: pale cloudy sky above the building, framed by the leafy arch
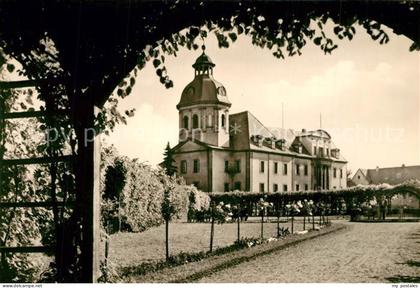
x=367 y=95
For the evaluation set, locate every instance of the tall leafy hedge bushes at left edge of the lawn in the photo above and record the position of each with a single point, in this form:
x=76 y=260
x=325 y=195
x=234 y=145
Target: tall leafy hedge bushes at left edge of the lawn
x=136 y=200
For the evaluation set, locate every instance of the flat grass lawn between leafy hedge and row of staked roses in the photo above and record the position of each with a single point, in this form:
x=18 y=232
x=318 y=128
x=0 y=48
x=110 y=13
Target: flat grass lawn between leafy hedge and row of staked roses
x=127 y=249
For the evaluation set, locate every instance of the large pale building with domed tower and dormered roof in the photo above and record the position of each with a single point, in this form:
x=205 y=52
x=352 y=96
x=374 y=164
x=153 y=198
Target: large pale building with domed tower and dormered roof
x=219 y=151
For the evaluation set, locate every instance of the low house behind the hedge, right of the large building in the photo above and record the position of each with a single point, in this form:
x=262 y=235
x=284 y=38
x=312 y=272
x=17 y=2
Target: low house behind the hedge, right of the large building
x=392 y=176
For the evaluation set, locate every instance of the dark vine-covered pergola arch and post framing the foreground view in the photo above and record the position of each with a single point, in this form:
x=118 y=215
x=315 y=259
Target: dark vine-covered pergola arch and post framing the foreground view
x=98 y=43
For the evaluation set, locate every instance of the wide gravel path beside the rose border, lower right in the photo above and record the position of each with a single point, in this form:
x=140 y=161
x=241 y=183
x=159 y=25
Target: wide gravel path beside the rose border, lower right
x=367 y=252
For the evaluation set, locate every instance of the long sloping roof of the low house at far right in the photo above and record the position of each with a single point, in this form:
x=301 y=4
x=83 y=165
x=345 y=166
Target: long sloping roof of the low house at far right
x=393 y=175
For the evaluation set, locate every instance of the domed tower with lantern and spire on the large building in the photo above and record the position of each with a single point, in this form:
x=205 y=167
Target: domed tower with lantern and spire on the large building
x=204 y=106
